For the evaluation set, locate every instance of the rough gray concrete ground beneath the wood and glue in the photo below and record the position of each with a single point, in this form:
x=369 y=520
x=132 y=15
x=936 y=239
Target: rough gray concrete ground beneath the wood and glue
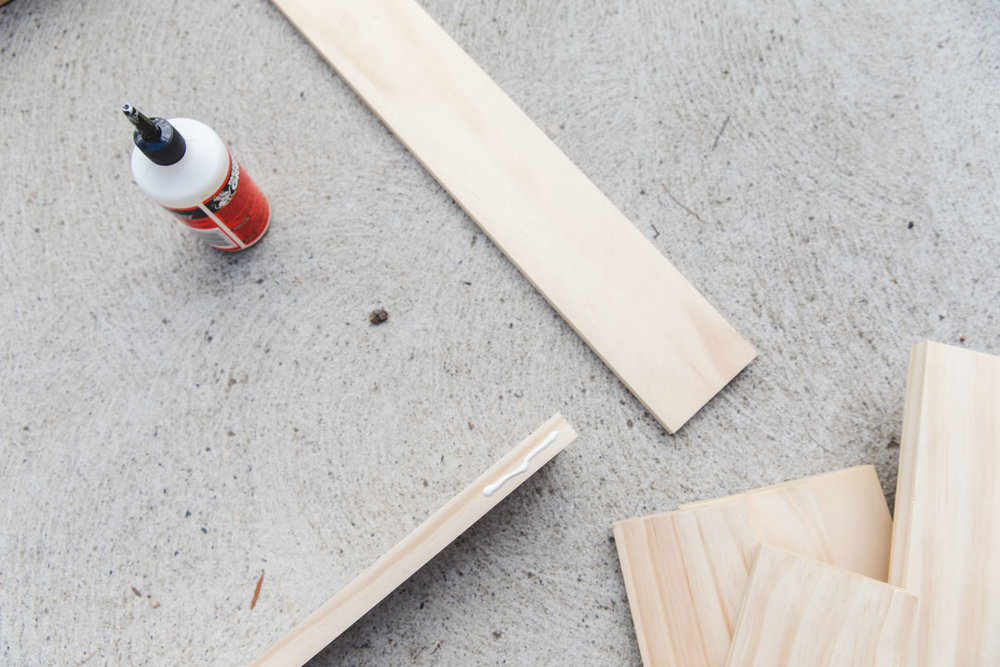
x=177 y=420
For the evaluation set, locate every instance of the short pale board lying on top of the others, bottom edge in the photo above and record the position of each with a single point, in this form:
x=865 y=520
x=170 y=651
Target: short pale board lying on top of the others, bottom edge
x=798 y=611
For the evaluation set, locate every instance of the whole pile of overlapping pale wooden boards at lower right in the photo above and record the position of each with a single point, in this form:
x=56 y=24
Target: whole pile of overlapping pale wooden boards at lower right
x=814 y=572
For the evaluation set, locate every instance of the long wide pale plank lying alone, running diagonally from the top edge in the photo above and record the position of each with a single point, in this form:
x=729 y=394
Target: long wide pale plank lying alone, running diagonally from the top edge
x=635 y=310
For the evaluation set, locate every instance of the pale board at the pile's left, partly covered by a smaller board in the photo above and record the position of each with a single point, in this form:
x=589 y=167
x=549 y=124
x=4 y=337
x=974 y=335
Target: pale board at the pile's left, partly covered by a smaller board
x=685 y=572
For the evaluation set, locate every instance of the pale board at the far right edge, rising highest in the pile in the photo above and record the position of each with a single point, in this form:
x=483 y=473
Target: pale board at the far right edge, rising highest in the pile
x=946 y=536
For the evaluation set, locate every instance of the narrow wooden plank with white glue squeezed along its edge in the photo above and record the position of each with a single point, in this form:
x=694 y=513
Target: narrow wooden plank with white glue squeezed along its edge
x=409 y=555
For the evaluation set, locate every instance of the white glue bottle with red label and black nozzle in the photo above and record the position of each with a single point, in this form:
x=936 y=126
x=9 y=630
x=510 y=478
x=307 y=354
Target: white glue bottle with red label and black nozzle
x=185 y=167
